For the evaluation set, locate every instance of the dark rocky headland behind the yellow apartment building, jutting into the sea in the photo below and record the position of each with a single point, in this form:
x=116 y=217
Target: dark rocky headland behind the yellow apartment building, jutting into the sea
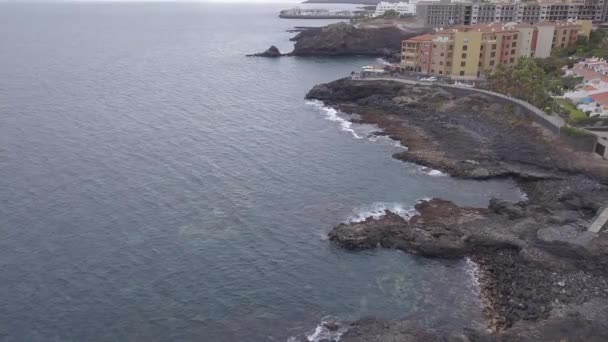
x=376 y=38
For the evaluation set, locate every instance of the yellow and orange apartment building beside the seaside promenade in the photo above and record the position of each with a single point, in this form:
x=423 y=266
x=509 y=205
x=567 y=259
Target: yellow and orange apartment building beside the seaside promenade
x=471 y=51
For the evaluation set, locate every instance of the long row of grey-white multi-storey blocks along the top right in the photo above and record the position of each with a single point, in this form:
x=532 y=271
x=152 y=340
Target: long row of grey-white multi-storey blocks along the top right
x=445 y=13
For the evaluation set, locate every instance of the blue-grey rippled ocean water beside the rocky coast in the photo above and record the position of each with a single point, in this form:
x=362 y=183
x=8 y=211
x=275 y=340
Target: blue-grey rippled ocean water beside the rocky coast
x=157 y=185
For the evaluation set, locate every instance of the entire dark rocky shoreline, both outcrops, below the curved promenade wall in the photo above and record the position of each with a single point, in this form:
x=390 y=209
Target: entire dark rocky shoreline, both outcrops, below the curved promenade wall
x=543 y=276
